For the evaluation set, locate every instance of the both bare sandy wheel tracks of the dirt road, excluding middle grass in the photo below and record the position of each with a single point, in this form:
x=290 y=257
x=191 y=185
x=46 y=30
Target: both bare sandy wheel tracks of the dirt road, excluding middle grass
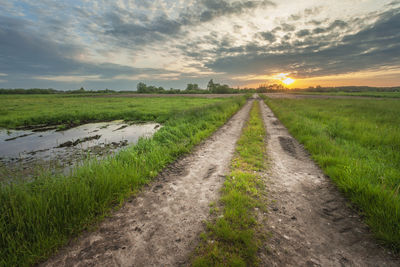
x=310 y=222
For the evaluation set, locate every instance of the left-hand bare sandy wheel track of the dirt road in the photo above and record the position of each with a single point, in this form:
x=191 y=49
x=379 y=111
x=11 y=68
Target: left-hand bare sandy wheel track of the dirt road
x=160 y=227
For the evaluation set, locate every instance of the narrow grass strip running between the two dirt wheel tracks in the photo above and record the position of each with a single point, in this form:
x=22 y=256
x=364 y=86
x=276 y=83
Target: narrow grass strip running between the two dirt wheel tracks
x=232 y=238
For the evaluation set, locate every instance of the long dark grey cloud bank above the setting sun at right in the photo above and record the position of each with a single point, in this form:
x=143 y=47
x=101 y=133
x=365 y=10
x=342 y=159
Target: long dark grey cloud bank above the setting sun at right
x=375 y=46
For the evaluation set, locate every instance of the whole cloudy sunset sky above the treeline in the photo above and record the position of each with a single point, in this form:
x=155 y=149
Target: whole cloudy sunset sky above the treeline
x=117 y=43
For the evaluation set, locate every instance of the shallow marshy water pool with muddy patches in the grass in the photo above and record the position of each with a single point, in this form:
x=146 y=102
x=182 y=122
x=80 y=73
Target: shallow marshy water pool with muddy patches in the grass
x=23 y=151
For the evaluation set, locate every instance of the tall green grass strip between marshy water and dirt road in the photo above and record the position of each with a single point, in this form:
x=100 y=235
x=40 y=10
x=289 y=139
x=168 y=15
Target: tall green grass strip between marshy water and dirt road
x=38 y=217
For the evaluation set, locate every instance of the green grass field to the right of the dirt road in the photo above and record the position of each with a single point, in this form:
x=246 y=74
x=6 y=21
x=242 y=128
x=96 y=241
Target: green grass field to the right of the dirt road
x=357 y=143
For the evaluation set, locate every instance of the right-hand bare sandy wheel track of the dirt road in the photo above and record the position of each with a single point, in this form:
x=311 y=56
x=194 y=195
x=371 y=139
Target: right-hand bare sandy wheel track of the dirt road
x=311 y=223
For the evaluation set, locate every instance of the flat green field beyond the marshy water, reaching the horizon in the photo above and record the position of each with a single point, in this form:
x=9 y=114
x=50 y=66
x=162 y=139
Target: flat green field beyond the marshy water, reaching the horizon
x=24 y=110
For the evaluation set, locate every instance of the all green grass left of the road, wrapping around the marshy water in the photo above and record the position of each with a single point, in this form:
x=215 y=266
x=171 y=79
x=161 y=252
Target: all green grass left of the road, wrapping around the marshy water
x=38 y=216
